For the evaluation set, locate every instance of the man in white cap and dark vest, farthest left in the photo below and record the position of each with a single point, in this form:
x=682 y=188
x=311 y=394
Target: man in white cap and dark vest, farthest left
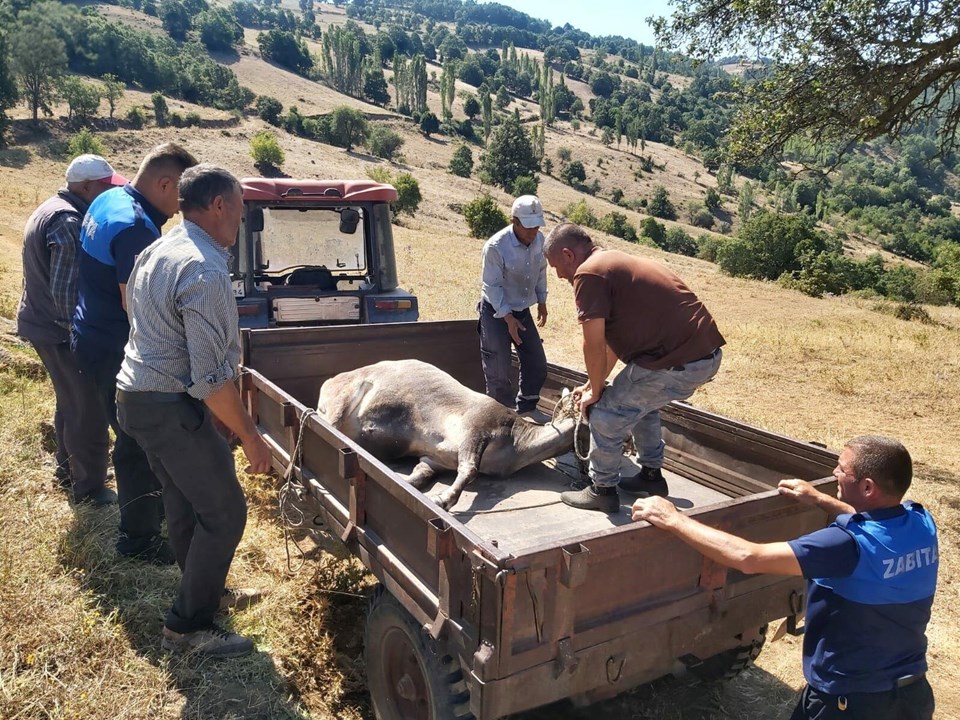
x=51 y=246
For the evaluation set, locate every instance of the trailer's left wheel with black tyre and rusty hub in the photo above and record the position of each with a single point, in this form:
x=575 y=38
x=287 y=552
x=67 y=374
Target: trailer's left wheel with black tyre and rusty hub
x=410 y=677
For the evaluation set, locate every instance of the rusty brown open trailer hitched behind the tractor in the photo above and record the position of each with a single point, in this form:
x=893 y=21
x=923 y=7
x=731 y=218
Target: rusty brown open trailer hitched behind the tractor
x=511 y=600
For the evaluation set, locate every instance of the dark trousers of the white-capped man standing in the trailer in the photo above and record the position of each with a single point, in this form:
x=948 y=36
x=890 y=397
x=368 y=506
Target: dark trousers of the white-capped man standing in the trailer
x=495 y=344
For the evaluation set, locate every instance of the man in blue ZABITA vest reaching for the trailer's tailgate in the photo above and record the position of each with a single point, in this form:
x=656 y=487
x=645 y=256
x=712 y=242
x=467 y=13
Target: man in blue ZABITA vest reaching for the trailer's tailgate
x=872 y=573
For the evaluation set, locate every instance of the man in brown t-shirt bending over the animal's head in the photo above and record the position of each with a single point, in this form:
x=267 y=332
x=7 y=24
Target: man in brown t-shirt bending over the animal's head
x=637 y=311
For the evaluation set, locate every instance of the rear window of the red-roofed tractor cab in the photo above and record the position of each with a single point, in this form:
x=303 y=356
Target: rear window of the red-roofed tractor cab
x=312 y=237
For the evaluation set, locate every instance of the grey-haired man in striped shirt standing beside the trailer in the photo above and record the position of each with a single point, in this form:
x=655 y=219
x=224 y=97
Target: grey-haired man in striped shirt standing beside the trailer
x=178 y=373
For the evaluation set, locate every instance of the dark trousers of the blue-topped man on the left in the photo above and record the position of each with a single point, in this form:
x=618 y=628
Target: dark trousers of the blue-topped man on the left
x=138 y=490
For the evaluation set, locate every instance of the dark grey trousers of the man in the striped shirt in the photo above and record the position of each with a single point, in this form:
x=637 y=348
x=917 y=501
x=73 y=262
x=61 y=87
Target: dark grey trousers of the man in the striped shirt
x=205 y=508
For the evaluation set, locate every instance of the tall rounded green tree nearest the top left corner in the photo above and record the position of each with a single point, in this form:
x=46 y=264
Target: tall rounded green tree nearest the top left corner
x=38 y=58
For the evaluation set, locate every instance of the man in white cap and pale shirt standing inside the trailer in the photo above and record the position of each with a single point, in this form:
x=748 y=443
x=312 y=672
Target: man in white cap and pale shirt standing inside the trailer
x=514 y=278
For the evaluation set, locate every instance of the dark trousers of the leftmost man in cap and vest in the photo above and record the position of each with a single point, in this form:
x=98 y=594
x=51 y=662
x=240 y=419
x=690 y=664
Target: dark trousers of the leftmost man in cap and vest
x=81 y=444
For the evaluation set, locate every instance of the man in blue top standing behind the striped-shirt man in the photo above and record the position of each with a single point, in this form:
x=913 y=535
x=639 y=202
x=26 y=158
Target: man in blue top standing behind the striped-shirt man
x=118 y=226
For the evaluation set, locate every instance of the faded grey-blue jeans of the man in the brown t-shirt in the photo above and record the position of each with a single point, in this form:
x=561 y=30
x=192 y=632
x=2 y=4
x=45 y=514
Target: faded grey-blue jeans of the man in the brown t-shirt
x=631 y=405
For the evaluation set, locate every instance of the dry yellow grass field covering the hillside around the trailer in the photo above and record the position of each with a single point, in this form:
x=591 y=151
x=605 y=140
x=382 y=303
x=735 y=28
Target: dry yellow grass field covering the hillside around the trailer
x=79 y=629
